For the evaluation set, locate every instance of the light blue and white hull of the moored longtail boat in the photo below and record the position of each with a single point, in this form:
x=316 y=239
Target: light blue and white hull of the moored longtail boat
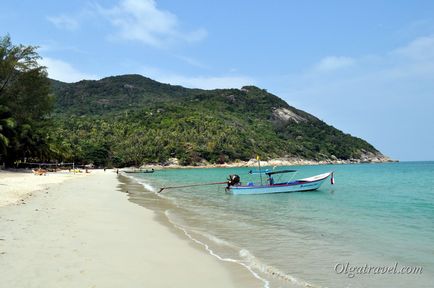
x=308 y=184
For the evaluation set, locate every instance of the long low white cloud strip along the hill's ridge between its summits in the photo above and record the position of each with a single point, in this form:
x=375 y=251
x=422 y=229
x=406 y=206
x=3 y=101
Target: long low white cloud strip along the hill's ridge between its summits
x=203 y=82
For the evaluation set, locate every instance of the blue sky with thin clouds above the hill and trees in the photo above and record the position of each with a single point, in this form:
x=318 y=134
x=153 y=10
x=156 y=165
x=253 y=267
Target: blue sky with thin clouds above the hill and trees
x=366 y=67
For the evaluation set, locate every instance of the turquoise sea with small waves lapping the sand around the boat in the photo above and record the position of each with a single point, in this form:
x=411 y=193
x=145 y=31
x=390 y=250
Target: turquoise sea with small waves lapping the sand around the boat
x=375 y=216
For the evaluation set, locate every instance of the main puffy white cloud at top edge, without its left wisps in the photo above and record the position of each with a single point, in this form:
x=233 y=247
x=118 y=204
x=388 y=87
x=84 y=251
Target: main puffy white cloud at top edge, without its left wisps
x=141 y=20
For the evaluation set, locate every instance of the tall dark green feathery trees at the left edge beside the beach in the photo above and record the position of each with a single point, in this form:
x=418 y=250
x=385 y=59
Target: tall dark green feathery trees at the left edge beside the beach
x=26 y=102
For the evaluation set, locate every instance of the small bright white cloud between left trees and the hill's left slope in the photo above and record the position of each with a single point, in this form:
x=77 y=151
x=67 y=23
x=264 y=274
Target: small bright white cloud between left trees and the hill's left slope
x=63 y=71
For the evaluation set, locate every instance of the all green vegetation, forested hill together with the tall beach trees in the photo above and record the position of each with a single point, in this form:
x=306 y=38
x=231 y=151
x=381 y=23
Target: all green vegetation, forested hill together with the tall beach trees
x=131 y=120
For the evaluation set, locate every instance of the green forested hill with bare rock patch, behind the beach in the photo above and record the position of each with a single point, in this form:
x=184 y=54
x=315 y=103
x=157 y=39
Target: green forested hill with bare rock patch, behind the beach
x=131 y=120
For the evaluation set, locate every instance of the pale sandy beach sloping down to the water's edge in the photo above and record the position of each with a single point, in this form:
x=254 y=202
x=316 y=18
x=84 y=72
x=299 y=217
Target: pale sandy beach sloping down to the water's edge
x=81 y=231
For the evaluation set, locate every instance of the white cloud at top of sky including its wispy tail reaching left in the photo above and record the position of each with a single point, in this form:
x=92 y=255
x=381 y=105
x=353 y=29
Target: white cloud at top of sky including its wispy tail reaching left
x=133 y=20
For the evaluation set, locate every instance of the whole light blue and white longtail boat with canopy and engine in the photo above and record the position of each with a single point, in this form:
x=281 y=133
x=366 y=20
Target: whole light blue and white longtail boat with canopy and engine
x=306 y=184
